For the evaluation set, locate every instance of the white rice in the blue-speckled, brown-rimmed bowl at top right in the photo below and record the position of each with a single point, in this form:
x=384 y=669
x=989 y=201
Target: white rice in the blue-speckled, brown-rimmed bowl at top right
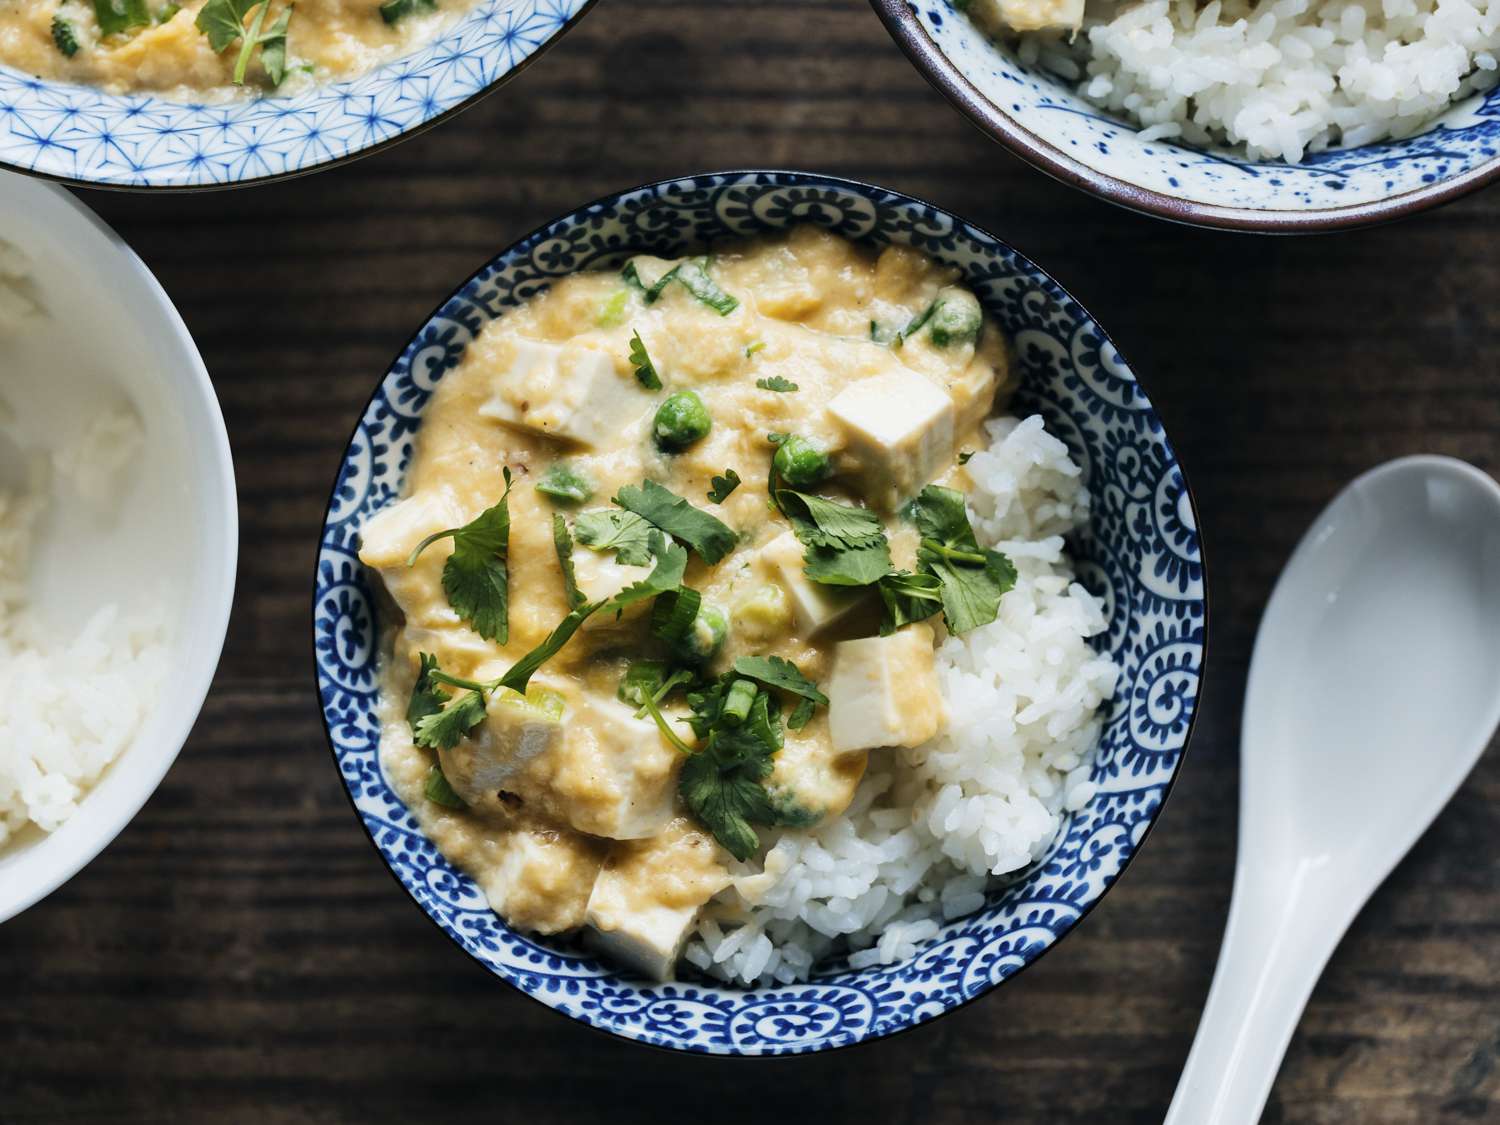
x=1279 y=77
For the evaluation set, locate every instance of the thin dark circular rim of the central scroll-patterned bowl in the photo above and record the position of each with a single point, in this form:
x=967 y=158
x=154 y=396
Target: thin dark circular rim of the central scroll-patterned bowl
x=790 y=178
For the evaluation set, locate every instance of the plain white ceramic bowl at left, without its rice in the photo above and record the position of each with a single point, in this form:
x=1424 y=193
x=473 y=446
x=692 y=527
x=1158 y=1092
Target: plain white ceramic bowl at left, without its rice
x=176 y=530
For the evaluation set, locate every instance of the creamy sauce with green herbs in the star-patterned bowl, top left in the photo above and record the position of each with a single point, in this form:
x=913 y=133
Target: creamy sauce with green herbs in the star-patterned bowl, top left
x=190 y=52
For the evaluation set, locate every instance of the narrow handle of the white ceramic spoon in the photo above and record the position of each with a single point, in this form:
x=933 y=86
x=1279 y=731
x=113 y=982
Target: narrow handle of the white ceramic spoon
x=1277 y=941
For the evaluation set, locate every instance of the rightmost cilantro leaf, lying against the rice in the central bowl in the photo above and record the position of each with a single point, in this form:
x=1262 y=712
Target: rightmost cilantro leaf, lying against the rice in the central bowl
x=973 y=578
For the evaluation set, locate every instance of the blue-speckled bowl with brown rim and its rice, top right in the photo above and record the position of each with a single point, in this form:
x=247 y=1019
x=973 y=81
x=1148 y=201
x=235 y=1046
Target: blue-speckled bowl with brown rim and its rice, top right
x=1283 y=116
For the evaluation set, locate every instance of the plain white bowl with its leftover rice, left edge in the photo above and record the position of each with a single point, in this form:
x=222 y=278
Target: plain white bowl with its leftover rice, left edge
x=118 y=538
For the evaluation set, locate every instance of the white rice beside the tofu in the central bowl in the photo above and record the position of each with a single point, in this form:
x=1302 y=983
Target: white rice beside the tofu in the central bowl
x=932 y=829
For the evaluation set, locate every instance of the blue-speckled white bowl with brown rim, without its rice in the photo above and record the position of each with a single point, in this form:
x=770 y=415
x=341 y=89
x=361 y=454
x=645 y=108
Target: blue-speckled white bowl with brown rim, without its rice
x=1039 y=116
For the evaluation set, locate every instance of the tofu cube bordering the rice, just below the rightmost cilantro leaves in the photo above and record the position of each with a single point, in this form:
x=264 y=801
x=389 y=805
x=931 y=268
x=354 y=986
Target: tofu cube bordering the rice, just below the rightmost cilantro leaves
x=884 y=691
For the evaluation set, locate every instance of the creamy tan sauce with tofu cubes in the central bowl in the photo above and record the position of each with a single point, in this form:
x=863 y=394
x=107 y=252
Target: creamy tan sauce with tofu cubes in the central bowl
x=568 y=805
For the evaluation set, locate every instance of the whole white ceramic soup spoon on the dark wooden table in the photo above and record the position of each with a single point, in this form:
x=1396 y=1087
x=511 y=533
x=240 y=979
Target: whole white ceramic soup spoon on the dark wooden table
x=1373 y=691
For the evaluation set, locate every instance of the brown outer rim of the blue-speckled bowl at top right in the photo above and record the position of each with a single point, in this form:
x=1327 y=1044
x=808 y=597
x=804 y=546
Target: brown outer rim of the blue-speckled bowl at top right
x=1000 y=127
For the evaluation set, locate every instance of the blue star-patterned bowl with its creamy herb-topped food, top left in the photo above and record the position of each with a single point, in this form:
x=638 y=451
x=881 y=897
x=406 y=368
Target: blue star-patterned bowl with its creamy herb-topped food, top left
x=211 y=94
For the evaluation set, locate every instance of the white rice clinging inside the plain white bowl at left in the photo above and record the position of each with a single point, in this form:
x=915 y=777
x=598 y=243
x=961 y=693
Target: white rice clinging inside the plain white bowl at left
x=71 y=704
